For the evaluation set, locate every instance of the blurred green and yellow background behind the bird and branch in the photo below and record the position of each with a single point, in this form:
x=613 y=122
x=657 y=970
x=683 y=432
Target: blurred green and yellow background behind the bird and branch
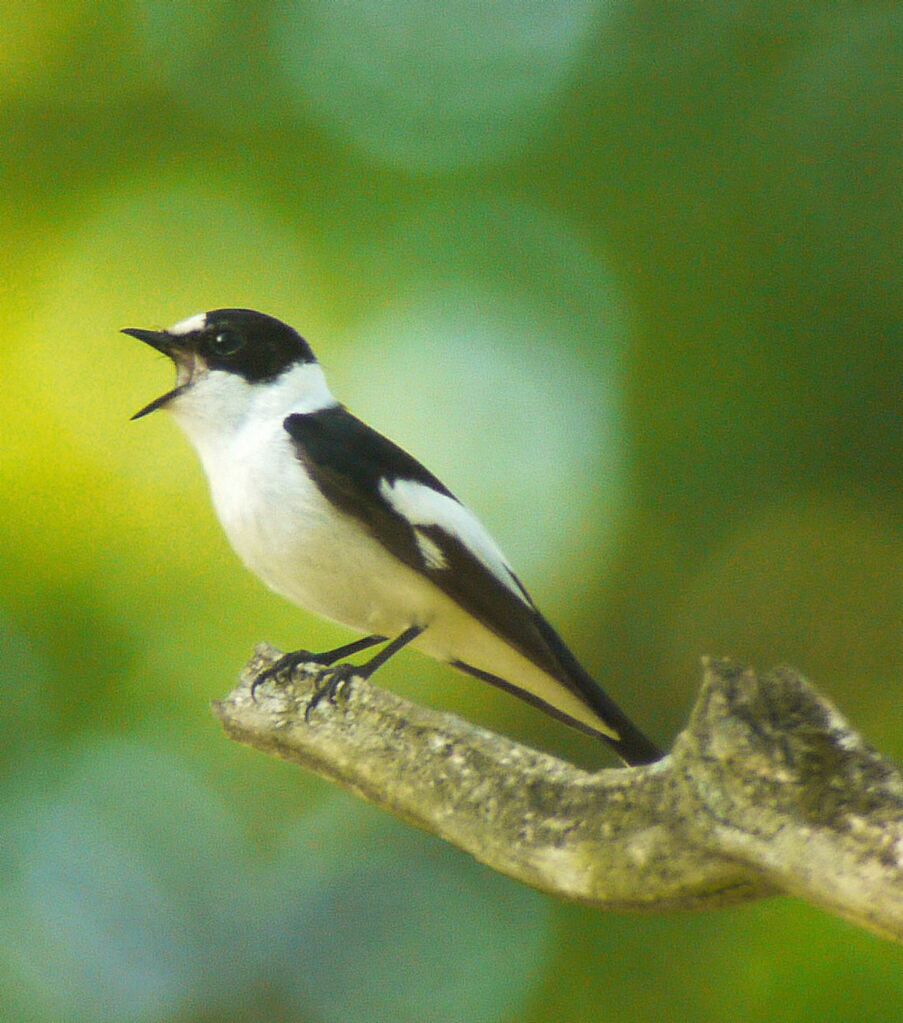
x=626 y=276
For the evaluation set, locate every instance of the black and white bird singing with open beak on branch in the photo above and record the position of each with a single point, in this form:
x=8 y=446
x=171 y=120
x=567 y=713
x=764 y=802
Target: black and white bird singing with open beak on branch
x=338 y=519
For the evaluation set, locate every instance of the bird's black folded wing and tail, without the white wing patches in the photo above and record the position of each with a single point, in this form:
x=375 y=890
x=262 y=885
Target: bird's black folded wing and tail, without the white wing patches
x=348 y=462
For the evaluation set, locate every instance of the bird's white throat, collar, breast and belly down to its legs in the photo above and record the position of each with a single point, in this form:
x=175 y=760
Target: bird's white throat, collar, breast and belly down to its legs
x=279 y=522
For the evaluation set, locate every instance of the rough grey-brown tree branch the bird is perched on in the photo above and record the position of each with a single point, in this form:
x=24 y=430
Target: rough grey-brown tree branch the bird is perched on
x=767 y=791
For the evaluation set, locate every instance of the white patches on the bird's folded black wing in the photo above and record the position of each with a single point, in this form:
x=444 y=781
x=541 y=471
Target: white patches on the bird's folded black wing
x=423 y=506
